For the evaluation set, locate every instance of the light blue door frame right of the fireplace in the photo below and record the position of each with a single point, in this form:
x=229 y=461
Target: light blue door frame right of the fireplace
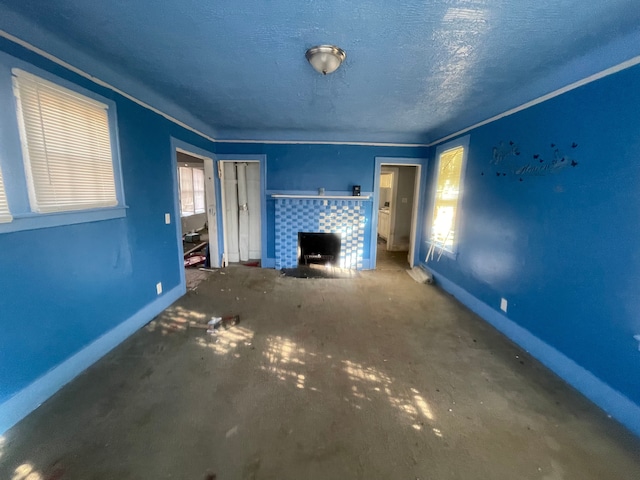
x=418 y=204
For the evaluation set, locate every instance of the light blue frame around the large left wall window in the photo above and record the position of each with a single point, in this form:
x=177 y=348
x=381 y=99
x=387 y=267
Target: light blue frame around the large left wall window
x=12 y=161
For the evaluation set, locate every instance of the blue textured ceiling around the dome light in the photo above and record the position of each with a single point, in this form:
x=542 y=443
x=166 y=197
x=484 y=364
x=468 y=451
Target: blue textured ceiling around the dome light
x=416 y=70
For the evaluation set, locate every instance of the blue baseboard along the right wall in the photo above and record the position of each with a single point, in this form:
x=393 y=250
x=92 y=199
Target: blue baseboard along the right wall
x=608 y=399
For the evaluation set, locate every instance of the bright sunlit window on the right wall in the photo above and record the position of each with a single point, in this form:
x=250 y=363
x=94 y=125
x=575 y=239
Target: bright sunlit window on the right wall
x=447 y=197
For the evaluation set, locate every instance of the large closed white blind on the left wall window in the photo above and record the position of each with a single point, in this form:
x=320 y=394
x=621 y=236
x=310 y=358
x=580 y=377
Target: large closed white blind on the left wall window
x=66 y=146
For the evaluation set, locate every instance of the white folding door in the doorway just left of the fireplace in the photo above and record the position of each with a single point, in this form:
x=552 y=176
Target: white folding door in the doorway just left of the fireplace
x=241 y=212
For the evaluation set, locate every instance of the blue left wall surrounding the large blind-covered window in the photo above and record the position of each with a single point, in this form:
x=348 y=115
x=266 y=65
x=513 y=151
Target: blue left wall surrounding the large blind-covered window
x=63 y=287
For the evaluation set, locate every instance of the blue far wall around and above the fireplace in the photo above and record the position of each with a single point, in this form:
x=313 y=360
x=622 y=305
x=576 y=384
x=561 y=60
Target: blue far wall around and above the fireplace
x=305 y=168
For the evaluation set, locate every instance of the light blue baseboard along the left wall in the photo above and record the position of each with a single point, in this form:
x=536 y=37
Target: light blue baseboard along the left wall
x=32 y=396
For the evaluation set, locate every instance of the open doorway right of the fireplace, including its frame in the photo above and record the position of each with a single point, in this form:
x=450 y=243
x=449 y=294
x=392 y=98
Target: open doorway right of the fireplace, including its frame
x=396 y=205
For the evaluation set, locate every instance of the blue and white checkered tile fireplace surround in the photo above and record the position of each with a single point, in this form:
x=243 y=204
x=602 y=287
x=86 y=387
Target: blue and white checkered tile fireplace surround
x=322 y=215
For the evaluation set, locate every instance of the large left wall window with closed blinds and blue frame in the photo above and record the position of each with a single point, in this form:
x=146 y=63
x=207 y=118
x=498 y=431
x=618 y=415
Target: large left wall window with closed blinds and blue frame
x=59 y=152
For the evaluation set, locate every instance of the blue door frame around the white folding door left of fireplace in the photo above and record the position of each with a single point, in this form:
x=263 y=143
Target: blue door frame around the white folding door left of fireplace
x=222 y=234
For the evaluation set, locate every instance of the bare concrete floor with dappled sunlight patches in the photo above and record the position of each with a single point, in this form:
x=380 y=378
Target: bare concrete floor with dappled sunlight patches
x=375 y=377
